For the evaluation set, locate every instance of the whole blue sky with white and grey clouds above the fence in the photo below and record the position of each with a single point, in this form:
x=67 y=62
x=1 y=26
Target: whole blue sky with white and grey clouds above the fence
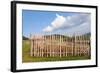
x=47 y=22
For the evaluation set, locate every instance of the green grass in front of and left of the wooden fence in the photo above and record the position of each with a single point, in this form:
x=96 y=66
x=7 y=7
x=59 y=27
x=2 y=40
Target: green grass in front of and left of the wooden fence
x=27 y=58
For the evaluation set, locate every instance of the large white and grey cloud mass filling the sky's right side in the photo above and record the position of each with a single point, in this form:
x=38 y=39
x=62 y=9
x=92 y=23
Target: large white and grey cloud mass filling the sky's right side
x=72 y=23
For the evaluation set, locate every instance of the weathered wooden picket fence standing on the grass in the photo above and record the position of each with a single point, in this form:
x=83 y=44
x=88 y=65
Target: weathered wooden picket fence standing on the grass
x=54 y=45
